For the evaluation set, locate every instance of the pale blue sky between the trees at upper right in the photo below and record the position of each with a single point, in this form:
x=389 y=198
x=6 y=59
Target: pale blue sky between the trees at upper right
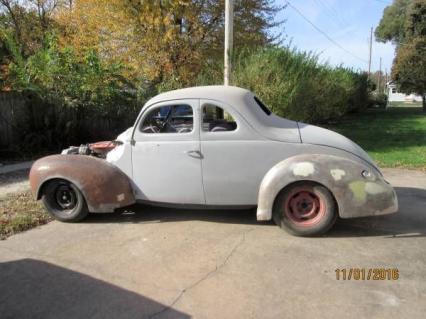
x=347 y=22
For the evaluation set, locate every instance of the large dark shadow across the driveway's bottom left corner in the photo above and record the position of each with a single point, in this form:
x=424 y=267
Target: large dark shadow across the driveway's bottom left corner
x=36 y=289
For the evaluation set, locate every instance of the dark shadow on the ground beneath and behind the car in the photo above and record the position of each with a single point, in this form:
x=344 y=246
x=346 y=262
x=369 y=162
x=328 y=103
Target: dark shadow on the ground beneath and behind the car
x=410 y=221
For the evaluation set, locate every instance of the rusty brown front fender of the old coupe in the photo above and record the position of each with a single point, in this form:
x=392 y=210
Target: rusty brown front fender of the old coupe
x=104 y=186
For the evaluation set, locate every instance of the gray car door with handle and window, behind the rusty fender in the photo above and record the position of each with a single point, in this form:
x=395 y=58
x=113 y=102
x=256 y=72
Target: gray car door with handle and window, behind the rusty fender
x=166 y=155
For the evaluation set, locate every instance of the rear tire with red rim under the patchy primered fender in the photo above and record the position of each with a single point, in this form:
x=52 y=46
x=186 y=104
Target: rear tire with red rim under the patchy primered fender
x=305 y=209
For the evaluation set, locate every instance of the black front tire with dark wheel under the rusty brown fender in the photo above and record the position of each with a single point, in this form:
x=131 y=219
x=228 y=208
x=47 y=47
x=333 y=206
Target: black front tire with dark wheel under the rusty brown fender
x=64 y=201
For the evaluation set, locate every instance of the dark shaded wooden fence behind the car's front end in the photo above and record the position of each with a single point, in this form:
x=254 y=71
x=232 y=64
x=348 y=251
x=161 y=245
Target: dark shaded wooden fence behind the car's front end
x=22 y=113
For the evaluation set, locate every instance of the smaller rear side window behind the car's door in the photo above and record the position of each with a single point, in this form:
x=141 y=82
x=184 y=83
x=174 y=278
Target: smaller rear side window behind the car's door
x=216 y=119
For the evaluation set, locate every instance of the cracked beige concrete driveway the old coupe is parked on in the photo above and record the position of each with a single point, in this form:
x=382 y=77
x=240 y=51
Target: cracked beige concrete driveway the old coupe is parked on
x=167 y=263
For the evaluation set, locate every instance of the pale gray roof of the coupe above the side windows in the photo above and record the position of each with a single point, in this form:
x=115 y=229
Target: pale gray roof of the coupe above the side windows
x=229 y=94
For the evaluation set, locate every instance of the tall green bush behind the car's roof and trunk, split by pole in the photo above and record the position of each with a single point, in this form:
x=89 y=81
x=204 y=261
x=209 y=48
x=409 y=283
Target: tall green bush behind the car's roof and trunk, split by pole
x=294 y=84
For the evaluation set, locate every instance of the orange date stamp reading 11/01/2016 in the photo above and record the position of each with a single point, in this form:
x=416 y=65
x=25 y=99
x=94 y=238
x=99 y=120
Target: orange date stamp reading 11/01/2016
x=367 y=274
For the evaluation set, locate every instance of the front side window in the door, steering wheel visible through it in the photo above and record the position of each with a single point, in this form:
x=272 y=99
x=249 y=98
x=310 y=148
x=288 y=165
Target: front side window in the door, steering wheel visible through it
x=169 y=119
